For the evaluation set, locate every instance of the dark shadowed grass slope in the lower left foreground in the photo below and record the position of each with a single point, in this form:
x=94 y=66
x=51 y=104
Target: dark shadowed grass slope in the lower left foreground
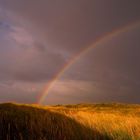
x=30 y=123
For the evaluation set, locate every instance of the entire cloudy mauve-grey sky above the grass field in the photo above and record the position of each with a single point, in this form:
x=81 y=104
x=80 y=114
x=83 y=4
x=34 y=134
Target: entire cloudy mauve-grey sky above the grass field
x=38 y=38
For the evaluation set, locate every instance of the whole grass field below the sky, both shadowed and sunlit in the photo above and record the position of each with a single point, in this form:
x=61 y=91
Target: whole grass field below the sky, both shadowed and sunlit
x=70 y=122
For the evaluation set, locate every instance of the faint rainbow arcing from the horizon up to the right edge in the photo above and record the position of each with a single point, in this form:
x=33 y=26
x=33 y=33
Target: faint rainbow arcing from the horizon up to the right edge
x=82 y=52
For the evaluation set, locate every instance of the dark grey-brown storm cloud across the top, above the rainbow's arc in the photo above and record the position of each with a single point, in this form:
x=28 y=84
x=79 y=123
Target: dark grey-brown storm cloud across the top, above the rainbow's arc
x=74 y=24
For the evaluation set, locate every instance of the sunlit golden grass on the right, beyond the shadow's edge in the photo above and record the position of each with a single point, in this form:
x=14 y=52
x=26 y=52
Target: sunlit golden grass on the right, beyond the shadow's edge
x=118 y=121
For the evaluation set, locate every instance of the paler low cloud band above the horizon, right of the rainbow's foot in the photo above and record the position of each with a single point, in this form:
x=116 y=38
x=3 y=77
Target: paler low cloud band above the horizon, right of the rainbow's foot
x=77 y=91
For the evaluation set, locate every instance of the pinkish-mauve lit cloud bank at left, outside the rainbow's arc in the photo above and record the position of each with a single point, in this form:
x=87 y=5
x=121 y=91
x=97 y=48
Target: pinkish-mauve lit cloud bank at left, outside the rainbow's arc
x=23 y=58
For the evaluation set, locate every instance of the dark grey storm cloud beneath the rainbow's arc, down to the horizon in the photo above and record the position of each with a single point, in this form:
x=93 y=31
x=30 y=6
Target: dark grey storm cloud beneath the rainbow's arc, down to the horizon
x=113 y=74
